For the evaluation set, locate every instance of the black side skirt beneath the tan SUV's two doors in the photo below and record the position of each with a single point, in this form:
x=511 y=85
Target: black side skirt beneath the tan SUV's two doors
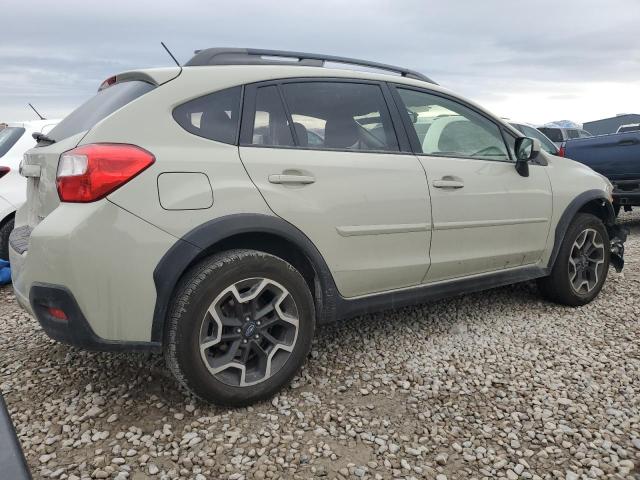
x=348 y=308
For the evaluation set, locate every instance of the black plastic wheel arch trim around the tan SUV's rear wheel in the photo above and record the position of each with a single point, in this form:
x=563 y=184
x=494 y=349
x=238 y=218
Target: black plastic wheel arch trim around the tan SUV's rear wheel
x=264 y=233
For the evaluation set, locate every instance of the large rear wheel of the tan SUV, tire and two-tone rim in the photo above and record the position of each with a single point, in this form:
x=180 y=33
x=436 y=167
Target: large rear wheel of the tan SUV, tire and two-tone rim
x=240 y=327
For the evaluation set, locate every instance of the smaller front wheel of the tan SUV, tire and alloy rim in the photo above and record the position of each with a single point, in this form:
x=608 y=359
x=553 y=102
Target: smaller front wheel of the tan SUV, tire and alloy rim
x=582 y=264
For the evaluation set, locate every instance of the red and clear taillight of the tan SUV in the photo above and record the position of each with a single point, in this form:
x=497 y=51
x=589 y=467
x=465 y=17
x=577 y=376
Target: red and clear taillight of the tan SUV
x=91 y=172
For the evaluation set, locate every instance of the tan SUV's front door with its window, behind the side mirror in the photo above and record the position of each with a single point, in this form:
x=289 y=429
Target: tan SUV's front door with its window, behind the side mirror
x=486 y=217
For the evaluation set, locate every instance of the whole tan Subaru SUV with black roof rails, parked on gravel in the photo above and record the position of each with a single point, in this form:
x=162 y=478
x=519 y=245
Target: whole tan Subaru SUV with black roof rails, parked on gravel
x=221 y=210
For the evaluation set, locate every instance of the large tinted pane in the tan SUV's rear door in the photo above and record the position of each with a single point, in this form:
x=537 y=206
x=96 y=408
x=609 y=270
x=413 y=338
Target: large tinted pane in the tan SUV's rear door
x=340 y=115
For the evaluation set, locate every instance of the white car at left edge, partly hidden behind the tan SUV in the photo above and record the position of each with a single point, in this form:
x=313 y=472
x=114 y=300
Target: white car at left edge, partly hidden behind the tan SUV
x=15 y=139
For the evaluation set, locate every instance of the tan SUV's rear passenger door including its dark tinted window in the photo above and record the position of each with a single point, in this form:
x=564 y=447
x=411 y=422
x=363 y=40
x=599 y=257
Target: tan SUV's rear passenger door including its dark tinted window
x=326 y=158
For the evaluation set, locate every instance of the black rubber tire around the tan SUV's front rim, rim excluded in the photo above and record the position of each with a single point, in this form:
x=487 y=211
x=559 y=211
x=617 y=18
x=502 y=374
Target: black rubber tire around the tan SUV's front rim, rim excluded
x=557 y=287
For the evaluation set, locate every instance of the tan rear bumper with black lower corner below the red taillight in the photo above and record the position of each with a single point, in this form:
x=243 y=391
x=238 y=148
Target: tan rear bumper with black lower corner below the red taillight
x=103 y=257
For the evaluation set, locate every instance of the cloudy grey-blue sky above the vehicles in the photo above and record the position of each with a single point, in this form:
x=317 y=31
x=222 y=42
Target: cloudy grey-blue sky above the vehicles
x=534 y=61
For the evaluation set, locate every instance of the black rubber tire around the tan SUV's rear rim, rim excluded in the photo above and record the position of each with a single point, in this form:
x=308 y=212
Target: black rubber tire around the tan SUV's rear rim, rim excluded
x=197 y=290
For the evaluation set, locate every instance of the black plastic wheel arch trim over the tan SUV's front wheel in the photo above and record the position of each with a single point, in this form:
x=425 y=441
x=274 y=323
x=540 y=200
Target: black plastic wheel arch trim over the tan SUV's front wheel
x=591 y=201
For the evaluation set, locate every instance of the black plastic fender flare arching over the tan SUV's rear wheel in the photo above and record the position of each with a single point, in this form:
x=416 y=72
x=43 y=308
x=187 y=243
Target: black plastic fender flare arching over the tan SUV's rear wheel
x=196 y=242
